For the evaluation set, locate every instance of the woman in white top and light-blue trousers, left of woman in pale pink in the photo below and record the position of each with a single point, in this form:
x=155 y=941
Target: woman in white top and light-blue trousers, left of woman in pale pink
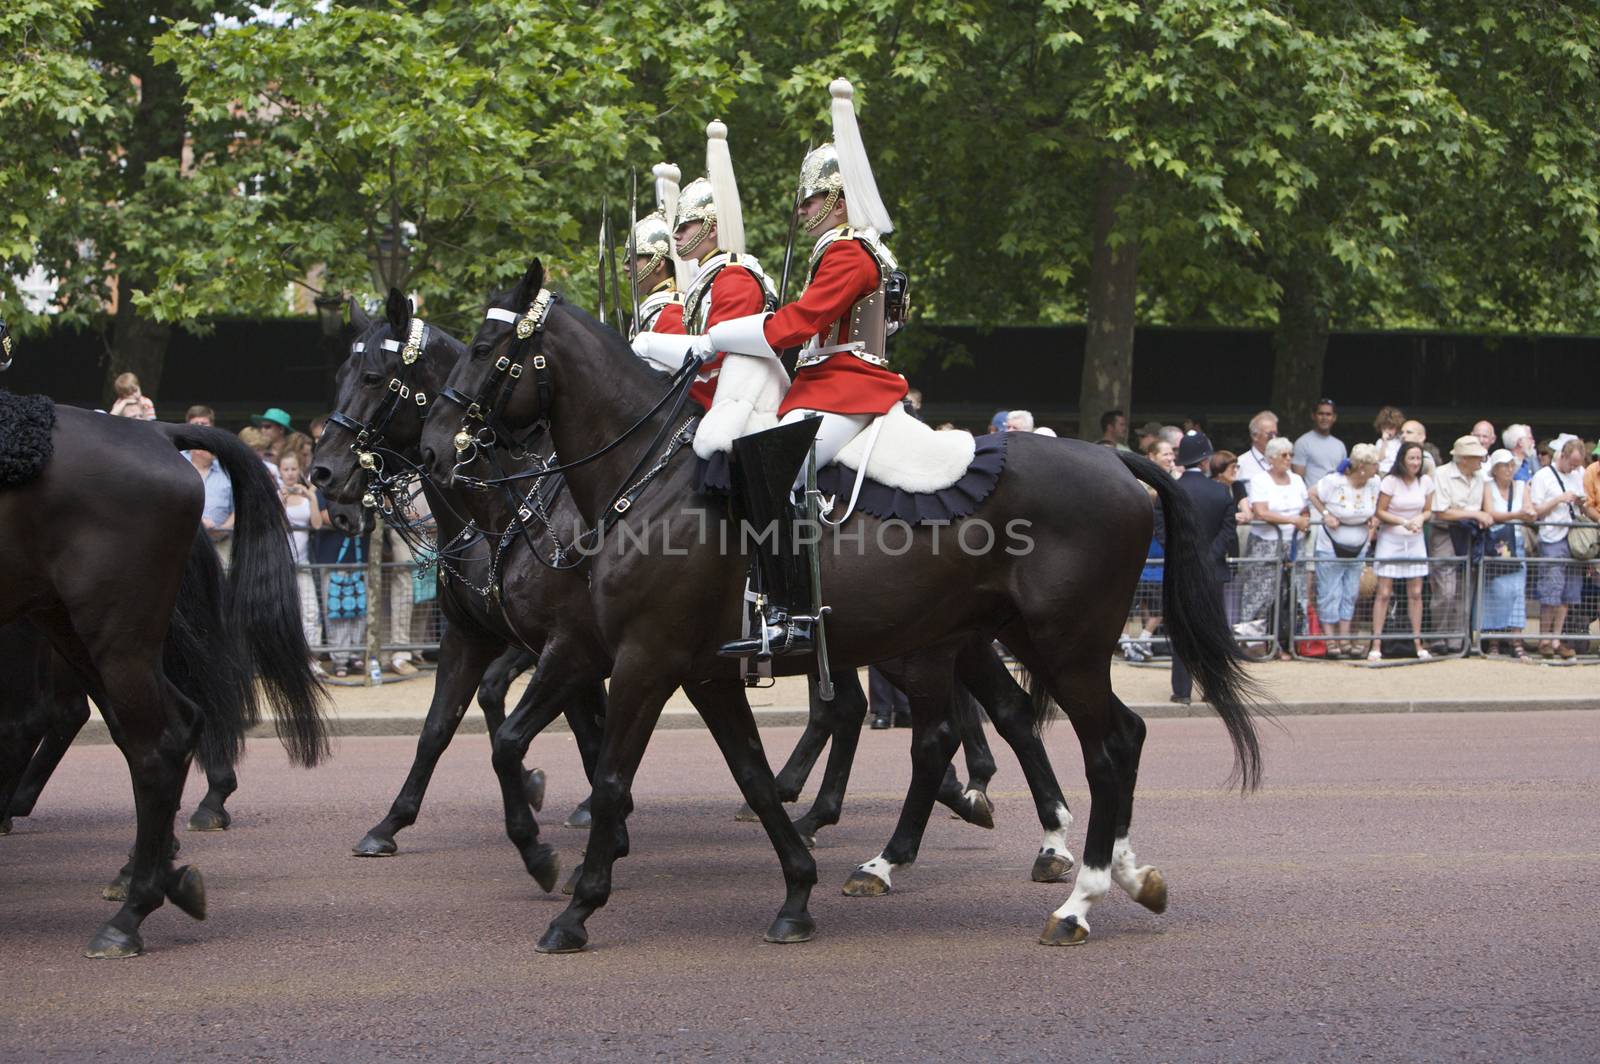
x=1350 y=518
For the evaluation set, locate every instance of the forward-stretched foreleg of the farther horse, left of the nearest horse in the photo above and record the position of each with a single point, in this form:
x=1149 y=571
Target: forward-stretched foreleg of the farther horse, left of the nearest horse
x=462 y=663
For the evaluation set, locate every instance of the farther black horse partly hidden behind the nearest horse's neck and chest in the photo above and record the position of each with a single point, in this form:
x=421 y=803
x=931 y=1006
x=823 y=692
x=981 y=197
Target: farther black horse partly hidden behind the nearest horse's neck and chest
x=492 y=591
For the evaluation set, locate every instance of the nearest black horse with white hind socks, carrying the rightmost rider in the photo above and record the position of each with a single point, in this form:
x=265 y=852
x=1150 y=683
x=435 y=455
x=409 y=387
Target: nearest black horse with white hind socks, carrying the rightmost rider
x=1058 y=550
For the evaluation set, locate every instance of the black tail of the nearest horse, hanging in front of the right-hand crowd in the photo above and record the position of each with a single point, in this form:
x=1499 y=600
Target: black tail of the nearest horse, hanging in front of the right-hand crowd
x=1198 y=623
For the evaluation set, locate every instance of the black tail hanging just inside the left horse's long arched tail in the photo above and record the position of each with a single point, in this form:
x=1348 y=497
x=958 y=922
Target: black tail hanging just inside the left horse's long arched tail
x=201 y=657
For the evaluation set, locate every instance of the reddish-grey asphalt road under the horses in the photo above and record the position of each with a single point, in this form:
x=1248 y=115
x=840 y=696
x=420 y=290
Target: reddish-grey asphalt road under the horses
x=1406 y=887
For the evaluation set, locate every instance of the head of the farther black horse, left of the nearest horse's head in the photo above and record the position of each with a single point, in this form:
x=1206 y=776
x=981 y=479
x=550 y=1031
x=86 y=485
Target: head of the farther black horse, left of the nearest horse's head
x=385 y=388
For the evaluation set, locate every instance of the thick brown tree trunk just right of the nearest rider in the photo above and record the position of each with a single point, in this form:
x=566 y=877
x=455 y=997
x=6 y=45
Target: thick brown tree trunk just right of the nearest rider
x=1114 y=279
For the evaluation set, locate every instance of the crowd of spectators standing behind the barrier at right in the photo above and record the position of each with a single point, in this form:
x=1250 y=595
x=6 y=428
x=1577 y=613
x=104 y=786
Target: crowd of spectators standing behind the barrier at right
x=1399 y=511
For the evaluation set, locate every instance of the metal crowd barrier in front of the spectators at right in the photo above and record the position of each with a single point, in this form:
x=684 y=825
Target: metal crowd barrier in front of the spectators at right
x=1466 y=604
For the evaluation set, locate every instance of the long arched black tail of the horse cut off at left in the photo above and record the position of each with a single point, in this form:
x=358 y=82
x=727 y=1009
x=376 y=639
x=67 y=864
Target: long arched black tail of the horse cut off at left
x=263 y=598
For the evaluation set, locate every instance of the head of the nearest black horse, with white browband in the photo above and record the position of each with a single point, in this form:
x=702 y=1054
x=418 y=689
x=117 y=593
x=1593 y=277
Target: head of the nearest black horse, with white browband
x=500 y=388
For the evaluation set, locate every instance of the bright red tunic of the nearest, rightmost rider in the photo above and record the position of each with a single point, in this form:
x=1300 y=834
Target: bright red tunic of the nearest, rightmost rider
x=842 y=385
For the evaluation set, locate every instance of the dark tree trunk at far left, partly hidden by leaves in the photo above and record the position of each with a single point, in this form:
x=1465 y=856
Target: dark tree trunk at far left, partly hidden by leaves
x=138 y=345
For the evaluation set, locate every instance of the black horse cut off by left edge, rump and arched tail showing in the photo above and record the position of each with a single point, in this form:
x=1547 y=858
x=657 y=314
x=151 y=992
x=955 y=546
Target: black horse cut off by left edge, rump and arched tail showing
x=95 y=553
